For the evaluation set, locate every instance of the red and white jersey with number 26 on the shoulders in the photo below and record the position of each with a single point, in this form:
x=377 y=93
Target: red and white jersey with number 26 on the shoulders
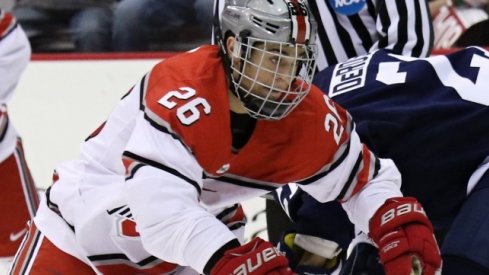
x=158 y=182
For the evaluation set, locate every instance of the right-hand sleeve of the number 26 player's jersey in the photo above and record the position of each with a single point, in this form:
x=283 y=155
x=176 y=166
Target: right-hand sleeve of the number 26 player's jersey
x=355 y=176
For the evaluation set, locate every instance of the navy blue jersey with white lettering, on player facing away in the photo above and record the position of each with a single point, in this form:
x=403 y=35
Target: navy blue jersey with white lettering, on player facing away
x=429 y=115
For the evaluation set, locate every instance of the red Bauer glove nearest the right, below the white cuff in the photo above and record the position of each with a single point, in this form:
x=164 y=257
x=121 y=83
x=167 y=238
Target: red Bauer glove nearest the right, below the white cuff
x=404 y=235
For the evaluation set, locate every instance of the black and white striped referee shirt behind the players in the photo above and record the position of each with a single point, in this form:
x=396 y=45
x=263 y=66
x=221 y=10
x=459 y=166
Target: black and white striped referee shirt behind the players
x=404 y=26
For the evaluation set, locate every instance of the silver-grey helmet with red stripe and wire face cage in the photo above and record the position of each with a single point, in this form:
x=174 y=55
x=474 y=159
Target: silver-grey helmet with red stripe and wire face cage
x=258 y=25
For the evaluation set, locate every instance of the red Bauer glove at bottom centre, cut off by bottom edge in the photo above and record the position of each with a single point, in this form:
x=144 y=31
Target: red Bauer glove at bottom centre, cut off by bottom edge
x=254 y=258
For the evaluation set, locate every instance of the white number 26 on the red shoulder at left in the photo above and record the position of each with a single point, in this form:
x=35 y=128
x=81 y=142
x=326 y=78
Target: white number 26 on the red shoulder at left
x=189 y=112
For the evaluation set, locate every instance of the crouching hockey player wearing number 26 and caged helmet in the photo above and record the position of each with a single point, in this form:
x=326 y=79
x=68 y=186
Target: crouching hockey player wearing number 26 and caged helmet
x=157 y=187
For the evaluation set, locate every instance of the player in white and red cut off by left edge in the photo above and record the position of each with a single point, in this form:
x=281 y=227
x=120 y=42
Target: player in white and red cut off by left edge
x=18 y=196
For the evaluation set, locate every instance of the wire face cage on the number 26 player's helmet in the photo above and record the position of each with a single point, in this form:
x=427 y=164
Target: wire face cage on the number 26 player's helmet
x=274 y=101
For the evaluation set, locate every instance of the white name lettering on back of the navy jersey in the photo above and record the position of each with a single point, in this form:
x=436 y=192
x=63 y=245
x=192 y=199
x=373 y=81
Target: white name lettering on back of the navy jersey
x=349 y=75
